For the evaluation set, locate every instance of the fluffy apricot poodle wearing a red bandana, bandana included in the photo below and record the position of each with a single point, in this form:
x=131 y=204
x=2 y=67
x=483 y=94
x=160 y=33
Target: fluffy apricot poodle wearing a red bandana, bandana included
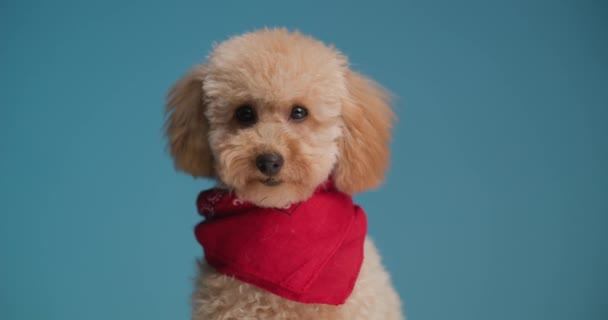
x=279 y=119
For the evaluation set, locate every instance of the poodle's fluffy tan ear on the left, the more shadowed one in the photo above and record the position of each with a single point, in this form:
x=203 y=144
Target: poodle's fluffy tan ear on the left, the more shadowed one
x=186 y=126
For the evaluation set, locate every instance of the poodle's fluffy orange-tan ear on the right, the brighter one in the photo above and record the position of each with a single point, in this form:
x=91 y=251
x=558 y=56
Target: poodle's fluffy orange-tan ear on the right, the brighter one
x=364 y=148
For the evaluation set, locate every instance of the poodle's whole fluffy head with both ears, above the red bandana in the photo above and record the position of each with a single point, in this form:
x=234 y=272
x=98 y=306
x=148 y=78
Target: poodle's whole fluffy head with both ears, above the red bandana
x=273 y=114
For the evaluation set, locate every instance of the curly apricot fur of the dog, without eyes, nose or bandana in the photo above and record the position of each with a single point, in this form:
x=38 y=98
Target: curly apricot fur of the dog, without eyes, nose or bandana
x=346 y=135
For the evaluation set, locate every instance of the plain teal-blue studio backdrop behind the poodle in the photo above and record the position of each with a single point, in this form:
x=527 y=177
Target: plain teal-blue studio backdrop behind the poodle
x=496 y=206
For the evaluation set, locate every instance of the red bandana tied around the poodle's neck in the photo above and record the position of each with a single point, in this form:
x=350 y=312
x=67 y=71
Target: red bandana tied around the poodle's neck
x=309 y=252
